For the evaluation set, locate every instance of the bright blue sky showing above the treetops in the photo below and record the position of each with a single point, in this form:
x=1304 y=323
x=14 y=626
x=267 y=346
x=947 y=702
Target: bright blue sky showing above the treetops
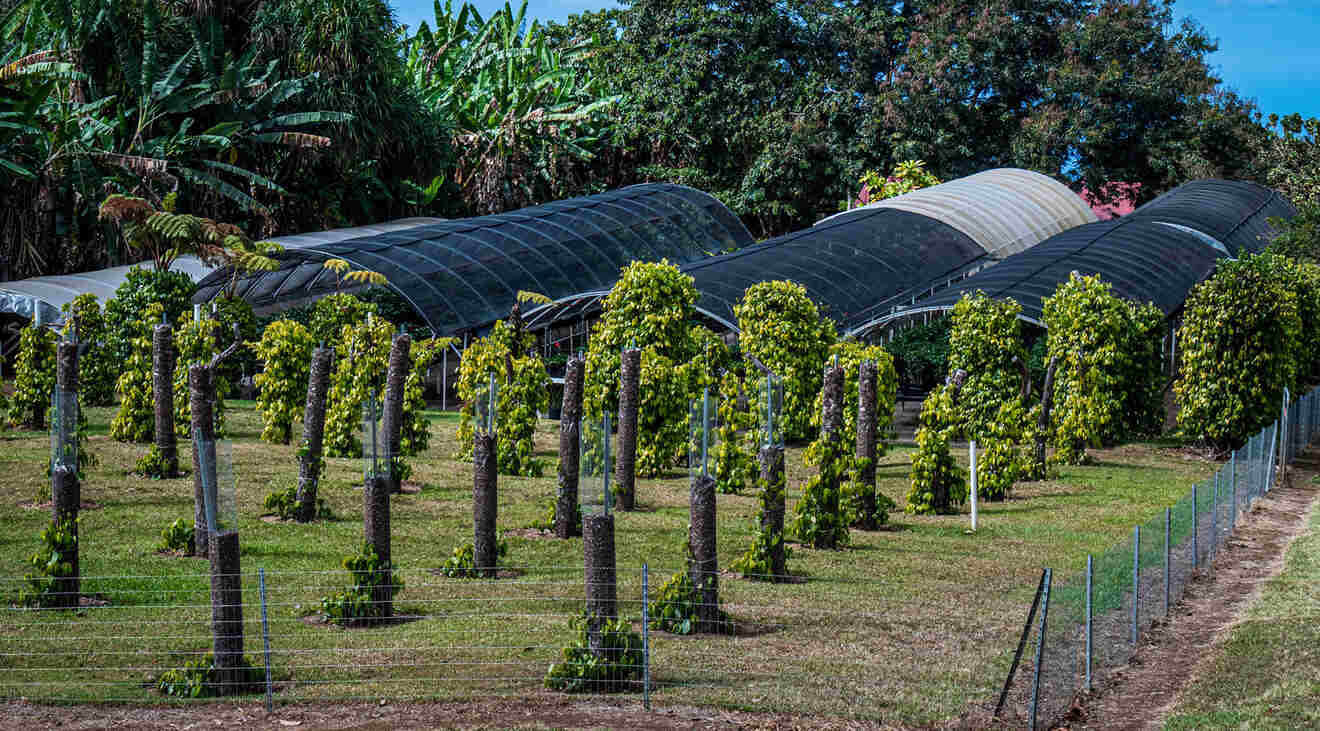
x=1269 y=49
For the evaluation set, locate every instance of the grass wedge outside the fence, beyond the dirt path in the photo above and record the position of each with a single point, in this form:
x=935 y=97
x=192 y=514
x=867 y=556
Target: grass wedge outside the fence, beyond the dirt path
x=1269 y=672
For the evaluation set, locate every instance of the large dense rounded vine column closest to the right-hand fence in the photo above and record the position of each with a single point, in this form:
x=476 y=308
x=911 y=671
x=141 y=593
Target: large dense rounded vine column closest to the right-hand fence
x=1240 y=338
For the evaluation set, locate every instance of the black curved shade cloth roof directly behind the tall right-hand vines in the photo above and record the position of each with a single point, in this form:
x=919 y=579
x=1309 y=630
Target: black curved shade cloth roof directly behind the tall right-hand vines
x=1144 y=261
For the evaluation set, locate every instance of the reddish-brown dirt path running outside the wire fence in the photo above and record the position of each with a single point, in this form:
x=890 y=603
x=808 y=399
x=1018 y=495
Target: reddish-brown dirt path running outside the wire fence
x=1174 y=655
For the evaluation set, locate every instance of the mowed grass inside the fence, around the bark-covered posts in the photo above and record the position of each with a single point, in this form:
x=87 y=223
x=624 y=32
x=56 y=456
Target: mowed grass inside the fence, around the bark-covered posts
x=911 y=625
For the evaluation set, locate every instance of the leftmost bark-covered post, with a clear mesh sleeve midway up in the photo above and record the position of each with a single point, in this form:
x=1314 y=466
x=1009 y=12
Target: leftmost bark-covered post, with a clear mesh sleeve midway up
x=65 y=490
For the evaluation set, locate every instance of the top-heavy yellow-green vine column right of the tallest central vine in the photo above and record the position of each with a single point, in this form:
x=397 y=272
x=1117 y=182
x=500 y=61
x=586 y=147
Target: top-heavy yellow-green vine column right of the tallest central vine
x=783 y=329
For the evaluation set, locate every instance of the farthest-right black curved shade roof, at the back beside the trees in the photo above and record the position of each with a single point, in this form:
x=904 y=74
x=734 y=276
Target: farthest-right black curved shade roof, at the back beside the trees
x=1235 y=213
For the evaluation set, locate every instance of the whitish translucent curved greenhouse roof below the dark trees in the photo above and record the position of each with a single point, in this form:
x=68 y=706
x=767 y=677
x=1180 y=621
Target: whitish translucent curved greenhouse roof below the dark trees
x=1005 y=210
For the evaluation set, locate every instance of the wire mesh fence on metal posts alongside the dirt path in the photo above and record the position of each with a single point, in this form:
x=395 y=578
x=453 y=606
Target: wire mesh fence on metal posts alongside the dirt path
x=1096 y=620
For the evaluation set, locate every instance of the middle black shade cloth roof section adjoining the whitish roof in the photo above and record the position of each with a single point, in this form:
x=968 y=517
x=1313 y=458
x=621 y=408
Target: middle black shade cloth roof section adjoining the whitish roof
x=851 y=266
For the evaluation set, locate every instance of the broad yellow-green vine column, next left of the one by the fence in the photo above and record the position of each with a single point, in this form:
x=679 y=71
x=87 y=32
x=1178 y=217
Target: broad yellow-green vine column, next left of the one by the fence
x=1104 y=346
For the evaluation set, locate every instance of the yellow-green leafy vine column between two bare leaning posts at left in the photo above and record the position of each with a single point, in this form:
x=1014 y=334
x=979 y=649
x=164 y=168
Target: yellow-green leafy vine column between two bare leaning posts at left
x=364 y=358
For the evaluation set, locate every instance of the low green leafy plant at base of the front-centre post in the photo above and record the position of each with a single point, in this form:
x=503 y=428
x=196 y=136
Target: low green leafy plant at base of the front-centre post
x=617 y=668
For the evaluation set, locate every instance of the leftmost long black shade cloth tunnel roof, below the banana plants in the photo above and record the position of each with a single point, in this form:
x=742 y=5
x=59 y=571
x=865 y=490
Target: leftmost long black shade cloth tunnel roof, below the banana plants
x=463 y=275
